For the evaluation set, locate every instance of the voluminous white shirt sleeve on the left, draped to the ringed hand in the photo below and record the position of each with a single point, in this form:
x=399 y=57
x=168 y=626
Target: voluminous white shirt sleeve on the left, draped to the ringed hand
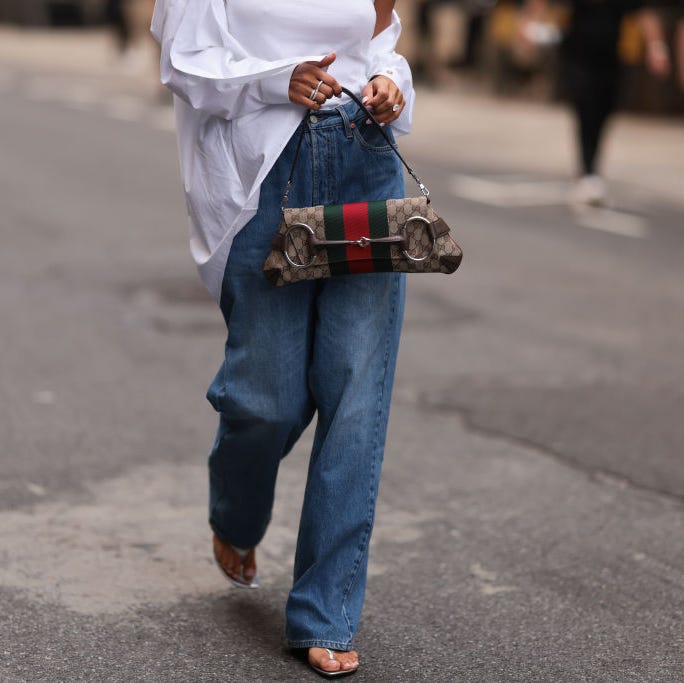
x=209 y=68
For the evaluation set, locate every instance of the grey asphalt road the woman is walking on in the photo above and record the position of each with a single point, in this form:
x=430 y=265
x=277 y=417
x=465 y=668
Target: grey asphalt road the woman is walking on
x=531 y=520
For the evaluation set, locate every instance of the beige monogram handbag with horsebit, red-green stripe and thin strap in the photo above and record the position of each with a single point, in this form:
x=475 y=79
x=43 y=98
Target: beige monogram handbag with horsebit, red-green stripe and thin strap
x=402 y=235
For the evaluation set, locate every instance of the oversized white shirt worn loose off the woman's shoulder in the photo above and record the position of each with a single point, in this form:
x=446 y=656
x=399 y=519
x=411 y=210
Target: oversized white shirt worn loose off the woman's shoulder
x=229 y=64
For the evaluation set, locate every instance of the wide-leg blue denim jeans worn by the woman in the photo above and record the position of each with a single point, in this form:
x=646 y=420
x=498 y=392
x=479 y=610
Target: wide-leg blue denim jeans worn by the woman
x=327 y=347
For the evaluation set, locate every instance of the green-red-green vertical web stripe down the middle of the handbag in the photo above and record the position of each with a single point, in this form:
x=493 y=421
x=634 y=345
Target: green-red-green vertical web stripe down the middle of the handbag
x=352 y=222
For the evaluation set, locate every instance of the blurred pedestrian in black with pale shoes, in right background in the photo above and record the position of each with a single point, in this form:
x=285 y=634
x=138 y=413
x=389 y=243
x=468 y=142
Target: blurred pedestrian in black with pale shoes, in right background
x=590 y=73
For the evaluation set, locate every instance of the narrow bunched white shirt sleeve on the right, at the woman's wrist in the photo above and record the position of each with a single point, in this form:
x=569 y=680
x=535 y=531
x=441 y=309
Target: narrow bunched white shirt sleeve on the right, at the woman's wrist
x=385 y=61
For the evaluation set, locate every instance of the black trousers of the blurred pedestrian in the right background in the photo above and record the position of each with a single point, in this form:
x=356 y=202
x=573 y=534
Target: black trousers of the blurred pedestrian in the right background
x=592 y=89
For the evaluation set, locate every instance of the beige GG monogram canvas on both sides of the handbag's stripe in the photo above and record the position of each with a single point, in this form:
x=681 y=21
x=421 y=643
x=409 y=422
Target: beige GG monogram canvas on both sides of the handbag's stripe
x=445 y=256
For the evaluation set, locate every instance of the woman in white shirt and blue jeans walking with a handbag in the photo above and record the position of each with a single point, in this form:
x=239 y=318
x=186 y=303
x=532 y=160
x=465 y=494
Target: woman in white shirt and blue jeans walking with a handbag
x=244 y=75
